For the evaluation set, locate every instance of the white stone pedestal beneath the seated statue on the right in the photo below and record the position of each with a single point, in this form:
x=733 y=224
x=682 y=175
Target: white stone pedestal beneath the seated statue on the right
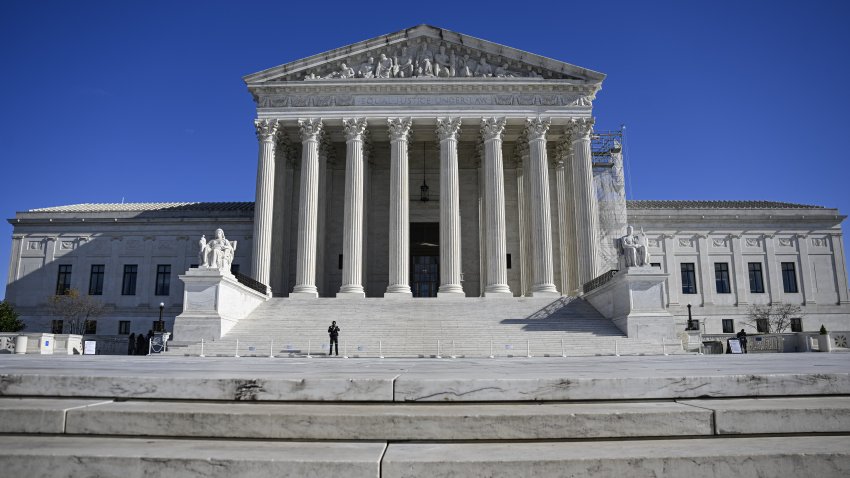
x=633 y=300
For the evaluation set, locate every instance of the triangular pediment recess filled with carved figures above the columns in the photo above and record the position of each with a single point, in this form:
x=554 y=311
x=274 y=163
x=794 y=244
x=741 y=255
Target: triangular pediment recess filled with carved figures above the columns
x=425 y=58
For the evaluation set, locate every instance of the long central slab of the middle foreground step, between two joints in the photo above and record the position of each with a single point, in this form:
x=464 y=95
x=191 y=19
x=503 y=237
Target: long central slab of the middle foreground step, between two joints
x=391 y=421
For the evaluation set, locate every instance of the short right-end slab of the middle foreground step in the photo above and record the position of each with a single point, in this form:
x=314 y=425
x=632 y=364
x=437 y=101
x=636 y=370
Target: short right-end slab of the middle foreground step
x=778 y=415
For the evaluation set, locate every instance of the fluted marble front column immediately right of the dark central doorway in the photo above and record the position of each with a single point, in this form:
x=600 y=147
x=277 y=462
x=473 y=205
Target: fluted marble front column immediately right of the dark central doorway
x=450 y=265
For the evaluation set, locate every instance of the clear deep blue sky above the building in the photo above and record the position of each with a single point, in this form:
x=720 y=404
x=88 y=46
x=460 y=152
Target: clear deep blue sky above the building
x=104 y=100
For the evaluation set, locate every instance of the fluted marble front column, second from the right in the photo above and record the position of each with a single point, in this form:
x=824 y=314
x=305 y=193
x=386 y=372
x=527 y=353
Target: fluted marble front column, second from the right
x=543 y=281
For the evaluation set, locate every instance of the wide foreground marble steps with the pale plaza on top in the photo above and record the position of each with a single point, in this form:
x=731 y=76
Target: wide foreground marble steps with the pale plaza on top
x=708 y=416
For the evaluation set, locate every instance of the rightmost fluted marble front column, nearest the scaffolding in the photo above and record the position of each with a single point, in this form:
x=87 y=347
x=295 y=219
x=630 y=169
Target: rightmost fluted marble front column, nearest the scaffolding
x=587 y=217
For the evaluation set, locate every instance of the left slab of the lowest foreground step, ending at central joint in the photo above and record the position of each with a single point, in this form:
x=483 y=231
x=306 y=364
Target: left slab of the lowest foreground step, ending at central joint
x=131 y=458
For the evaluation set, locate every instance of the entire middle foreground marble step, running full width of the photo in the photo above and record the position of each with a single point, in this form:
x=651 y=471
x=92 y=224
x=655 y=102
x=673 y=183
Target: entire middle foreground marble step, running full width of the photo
x=439 y=422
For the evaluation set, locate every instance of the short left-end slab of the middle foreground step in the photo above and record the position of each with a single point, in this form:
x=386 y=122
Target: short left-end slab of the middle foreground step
x=38 y=415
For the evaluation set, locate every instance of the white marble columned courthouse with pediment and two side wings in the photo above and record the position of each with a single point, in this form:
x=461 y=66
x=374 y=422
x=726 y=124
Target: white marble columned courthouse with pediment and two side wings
x=427 y=163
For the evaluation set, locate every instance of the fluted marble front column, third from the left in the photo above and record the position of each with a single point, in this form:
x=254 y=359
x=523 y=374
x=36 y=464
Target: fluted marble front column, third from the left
x=352 y=235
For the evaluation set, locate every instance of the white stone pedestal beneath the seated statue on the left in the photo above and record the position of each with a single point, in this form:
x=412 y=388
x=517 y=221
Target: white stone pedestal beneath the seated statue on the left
x=213 y=301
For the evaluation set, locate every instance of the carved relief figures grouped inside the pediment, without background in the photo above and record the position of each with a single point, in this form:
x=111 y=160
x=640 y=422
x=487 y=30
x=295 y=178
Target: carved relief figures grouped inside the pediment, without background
x=421 y=60
